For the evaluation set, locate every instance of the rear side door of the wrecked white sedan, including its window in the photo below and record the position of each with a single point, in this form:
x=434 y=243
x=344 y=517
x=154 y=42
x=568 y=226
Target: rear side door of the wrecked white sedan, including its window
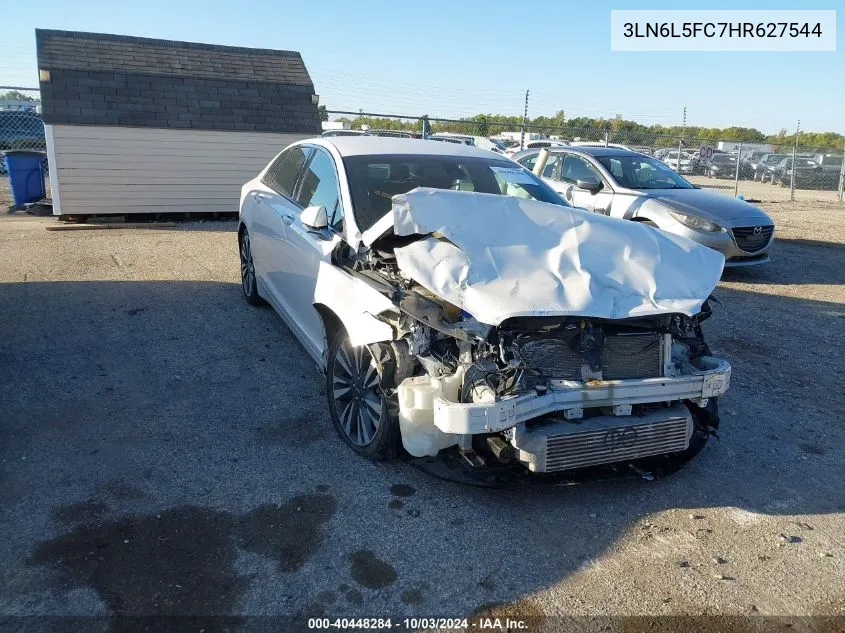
x=271 y=208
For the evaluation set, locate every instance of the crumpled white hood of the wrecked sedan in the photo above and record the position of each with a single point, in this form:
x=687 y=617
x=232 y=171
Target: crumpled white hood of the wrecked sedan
x=498 y=257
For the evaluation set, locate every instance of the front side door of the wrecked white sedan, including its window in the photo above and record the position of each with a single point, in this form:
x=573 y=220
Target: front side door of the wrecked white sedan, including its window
x=305 y=248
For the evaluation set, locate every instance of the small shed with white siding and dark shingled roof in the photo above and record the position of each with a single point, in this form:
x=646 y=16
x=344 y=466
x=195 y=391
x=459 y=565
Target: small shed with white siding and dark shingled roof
x=137 y=125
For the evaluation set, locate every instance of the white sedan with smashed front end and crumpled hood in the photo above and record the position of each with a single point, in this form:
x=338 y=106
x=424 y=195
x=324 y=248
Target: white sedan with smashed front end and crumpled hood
x=458 y=306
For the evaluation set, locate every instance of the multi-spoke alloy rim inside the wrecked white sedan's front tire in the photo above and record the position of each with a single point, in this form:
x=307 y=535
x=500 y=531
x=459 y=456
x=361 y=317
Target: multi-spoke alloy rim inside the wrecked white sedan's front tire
x=354 y=385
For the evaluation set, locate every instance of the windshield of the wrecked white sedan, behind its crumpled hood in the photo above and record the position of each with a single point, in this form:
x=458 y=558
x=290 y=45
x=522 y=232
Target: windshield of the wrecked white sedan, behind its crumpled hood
x=374 y=180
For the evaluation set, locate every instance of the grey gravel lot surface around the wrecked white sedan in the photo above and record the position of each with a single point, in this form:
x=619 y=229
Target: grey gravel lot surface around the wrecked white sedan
x=165 y=449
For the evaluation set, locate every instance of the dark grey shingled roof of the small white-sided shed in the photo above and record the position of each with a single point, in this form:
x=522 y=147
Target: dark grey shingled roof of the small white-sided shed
x=99 y=79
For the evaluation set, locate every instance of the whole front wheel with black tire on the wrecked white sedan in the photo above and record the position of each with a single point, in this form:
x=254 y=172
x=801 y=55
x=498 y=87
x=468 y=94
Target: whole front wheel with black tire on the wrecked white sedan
x=362 y=414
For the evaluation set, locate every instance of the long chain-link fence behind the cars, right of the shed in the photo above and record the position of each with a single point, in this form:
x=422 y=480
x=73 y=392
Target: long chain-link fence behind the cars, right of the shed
x=759 y=171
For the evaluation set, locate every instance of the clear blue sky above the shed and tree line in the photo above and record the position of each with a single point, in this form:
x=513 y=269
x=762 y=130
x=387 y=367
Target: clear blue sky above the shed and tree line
x=454 y=58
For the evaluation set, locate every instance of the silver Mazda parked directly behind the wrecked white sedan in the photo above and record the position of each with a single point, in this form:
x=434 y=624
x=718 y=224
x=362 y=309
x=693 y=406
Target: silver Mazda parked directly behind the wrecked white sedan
x=628 y=185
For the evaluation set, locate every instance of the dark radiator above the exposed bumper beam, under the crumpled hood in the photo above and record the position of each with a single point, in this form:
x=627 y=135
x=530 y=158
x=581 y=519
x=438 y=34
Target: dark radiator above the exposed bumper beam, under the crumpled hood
x=623 y=356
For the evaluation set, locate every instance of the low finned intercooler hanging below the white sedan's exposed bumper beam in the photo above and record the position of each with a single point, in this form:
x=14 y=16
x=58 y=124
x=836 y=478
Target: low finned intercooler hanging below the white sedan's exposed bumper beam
x=605 y=439
